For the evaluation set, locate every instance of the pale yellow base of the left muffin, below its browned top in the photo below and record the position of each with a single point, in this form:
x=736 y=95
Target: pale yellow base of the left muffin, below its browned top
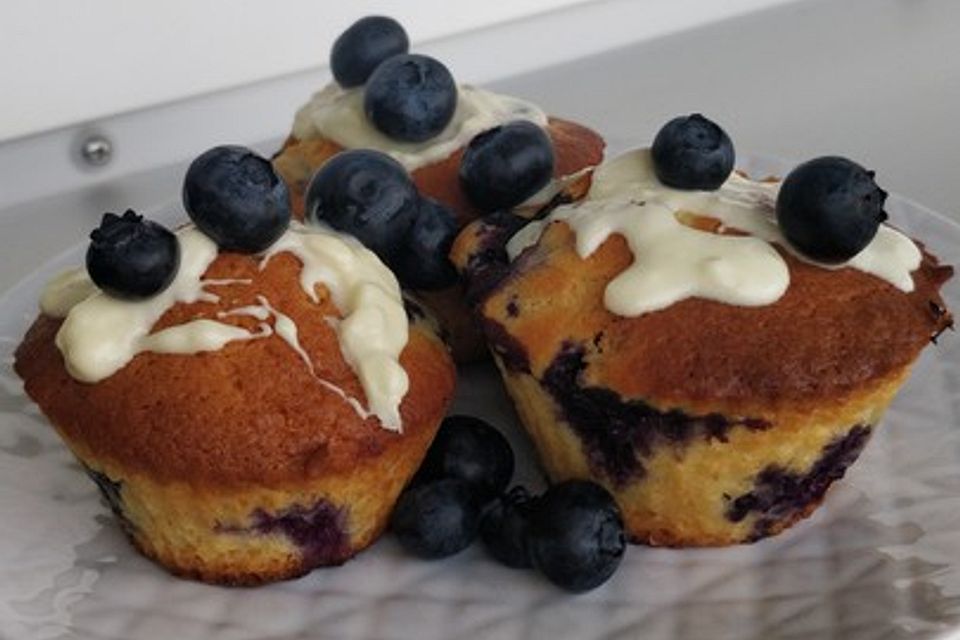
x=247 y=535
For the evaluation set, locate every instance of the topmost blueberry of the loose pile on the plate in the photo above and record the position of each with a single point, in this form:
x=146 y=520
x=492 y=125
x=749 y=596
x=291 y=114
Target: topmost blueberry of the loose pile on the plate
x=471 y=450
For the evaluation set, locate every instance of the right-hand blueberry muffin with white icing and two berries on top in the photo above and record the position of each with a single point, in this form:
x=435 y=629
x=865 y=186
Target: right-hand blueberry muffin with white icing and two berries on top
x=715 y=350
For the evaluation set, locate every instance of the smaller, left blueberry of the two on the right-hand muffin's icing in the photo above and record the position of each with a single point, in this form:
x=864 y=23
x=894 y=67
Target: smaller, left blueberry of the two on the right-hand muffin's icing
x=692 y=152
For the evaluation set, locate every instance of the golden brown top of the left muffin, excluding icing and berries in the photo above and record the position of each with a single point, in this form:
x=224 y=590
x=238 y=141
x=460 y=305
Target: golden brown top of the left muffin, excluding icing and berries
x=251 y=412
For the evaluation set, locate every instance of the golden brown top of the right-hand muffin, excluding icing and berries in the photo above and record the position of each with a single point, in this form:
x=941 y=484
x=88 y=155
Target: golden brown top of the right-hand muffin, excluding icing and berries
x=832 y=330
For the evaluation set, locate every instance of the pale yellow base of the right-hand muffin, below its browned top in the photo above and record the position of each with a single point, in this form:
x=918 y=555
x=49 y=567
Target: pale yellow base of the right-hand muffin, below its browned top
x=737 y=483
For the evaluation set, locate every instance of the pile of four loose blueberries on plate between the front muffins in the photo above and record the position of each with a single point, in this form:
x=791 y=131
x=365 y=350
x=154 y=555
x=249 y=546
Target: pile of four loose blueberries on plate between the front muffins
x=573 y=533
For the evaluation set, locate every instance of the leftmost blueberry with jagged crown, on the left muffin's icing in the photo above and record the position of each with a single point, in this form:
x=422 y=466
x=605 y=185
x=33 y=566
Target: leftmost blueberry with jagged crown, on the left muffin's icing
x=132 y=258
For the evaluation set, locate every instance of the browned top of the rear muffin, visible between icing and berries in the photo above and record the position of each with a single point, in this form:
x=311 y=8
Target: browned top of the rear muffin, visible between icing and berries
x=575 y=148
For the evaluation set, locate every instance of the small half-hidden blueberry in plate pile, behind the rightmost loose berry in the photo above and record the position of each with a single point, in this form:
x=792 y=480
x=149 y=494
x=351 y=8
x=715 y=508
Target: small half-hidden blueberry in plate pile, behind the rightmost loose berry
x=503 y=528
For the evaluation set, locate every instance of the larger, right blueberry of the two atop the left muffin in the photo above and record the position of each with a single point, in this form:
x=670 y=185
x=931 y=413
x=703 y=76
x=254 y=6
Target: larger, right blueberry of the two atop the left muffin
x=235 y=197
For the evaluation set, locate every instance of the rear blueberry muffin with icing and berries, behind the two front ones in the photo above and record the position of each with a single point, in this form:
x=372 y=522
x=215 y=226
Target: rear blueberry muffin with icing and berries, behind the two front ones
x=460 y=145
